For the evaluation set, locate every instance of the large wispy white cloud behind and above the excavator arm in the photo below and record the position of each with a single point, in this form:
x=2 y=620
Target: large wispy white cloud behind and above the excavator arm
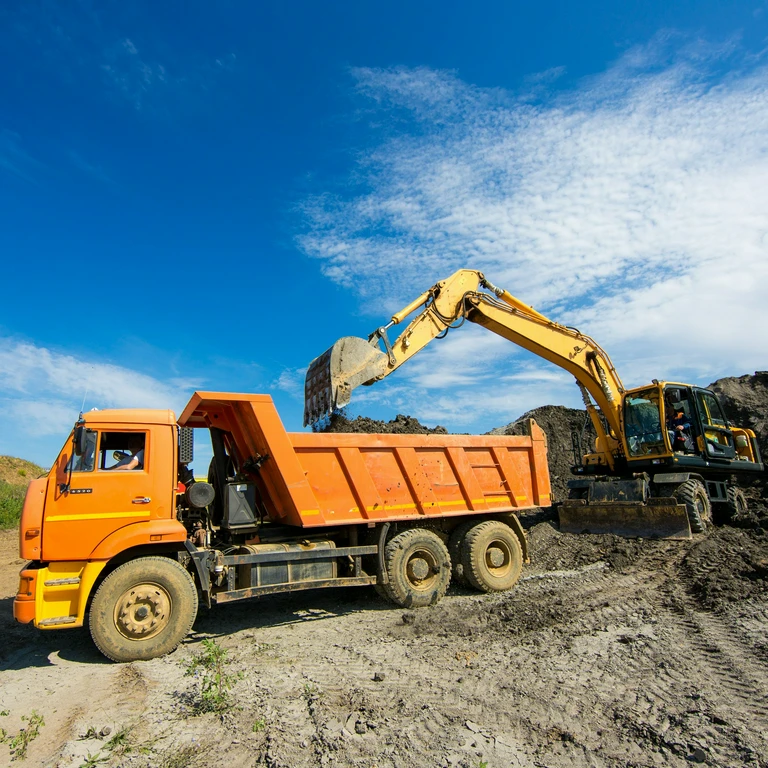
x=633 y=205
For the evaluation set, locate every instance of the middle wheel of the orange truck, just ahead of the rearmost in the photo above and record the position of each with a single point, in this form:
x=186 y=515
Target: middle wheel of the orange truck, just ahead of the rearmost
x=418 y=568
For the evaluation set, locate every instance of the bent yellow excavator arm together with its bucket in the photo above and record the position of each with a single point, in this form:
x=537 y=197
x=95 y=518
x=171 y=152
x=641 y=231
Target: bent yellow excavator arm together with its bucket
x=468 y=295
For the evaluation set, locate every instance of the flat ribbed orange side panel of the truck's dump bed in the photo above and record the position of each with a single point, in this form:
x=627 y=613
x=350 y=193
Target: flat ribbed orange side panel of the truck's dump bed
x=367 y=478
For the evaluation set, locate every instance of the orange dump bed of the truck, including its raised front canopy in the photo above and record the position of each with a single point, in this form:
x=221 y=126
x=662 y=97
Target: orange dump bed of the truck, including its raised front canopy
x=321 y=479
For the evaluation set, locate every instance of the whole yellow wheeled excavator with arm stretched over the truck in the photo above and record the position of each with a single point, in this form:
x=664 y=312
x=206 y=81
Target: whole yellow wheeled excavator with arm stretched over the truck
x=665 y=454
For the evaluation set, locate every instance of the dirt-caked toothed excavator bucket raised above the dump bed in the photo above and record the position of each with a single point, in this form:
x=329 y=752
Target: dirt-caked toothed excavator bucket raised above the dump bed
x=330 y=379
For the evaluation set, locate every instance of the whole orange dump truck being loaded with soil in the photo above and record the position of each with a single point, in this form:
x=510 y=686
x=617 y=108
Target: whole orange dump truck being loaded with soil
x=120 y=533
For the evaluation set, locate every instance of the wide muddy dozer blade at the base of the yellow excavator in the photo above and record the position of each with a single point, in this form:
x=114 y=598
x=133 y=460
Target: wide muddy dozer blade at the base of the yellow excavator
x=662 y=518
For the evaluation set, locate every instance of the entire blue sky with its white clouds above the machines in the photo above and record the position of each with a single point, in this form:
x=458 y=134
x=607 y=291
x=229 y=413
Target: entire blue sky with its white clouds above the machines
x=207 y=197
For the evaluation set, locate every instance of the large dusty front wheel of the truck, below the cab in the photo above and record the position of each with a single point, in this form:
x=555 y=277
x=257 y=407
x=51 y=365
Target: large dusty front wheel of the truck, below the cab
x=143 y=609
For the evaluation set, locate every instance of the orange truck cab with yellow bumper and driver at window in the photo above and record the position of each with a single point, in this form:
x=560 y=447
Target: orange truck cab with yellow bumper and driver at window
x=89 y=511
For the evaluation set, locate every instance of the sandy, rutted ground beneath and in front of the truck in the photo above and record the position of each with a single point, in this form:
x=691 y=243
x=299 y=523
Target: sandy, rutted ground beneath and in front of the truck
x=608 y=653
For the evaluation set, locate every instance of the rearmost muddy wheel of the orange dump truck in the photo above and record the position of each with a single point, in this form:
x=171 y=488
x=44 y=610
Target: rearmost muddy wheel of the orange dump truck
x=492 y=557
